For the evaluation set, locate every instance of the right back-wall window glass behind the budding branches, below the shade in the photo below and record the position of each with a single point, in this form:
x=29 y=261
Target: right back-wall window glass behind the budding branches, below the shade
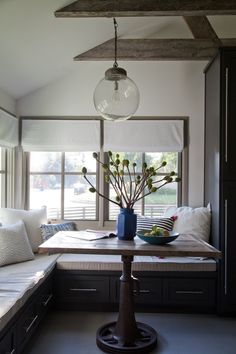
x=156 y=203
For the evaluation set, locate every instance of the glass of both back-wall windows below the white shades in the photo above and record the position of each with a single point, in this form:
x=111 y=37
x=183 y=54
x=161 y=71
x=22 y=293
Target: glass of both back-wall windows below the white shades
x=57 y=182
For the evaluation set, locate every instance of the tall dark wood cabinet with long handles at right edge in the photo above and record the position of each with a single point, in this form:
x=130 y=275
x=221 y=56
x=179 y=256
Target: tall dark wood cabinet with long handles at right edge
x=220 y=167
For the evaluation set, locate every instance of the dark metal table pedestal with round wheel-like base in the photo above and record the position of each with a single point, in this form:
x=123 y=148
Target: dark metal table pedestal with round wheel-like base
x=126 y=335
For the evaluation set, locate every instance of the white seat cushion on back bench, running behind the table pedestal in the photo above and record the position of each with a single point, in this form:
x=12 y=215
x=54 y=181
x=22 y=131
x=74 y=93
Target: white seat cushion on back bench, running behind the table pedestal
x=140 y=263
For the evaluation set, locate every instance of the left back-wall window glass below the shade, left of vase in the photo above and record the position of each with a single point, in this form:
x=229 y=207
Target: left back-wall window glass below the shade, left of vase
x=57 y=182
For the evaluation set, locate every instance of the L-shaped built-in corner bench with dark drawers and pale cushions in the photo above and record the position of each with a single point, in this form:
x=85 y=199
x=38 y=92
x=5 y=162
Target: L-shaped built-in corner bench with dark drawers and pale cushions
x=76 y=281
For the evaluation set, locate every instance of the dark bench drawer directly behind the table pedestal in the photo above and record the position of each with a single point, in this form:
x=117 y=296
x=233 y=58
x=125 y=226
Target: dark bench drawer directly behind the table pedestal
x=150 y=292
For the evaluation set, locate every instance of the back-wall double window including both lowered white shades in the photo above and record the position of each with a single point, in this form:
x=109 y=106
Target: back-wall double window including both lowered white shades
x=55 y=177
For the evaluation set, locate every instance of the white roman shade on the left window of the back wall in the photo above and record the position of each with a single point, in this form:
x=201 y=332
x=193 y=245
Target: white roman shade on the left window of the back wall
x=60 y=135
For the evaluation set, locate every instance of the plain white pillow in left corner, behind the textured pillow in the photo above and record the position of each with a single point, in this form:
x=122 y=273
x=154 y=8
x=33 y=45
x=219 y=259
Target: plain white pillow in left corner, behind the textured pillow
x=32 y=220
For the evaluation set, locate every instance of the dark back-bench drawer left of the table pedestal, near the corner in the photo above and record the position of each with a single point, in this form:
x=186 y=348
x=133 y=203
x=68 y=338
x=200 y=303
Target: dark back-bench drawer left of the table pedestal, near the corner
x=84 y=289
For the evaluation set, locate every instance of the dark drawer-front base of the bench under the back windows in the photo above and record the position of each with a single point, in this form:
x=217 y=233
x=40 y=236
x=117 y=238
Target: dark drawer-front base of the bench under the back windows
x=86 y=290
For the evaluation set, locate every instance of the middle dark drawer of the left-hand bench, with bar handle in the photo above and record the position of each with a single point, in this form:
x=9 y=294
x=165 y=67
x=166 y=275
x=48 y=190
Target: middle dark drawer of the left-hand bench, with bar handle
x=27 y=323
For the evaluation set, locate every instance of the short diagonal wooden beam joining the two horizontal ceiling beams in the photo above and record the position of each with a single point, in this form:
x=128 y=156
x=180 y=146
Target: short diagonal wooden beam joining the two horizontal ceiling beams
x=201 y=28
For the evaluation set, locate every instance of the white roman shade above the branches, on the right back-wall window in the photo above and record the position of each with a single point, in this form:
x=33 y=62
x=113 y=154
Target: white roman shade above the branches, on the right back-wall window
x=144 y=136
